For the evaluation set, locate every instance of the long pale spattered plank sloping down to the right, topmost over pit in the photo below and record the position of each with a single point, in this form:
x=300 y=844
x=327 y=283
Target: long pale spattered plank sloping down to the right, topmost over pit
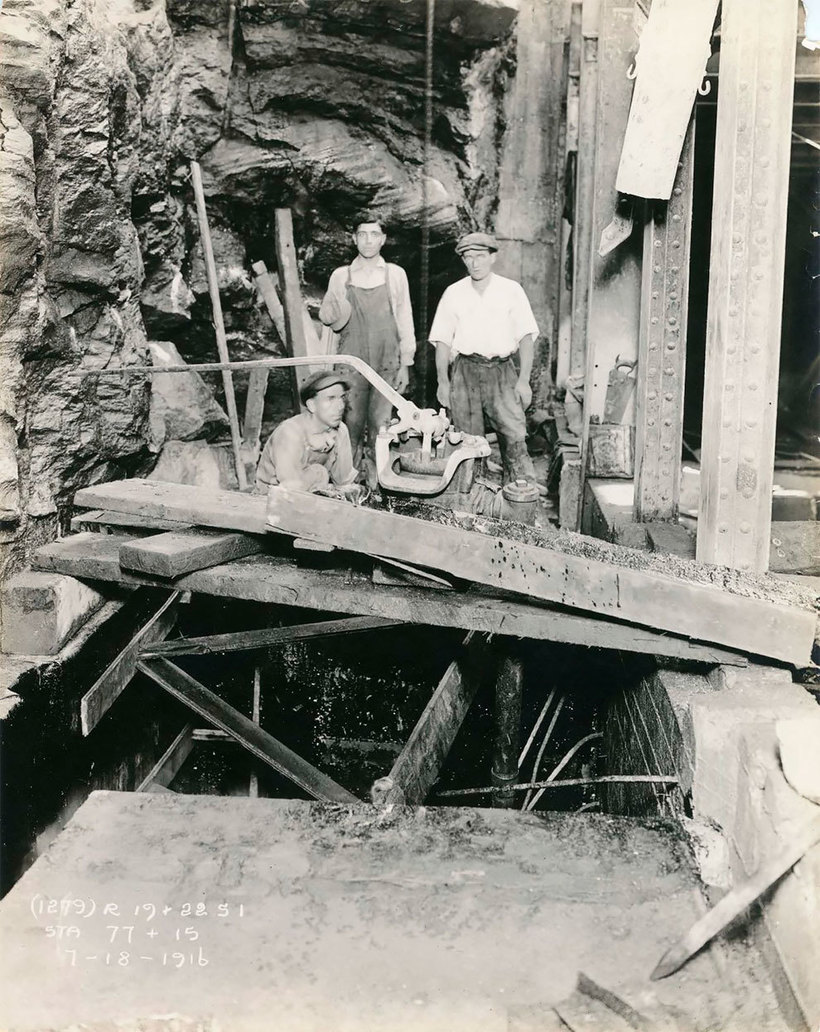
x=700 y=610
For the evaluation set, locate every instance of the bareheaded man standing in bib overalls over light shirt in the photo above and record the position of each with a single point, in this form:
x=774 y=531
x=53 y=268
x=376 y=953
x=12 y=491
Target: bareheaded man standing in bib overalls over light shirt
x=368 y=308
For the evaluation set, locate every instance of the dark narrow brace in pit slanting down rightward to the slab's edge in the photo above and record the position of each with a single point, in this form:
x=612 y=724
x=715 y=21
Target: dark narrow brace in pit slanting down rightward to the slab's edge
x=180 y=685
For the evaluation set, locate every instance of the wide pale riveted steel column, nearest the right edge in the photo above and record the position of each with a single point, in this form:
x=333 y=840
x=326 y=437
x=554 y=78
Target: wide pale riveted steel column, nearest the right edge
x=752 y=155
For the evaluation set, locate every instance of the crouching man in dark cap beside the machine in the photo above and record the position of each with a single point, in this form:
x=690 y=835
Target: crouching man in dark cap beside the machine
x=312 y=451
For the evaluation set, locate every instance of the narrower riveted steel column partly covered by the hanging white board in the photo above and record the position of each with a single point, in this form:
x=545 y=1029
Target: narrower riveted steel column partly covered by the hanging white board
x=662 y=361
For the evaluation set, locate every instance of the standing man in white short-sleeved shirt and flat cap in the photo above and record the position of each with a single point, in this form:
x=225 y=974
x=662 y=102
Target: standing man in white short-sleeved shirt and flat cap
x=482 y=321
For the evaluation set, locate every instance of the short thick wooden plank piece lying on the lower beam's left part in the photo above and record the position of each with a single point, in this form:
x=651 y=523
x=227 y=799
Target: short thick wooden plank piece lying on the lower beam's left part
x=183 y=552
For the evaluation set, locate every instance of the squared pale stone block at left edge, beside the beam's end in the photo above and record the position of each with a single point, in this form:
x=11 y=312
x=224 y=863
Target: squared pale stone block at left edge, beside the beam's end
x=40 y=612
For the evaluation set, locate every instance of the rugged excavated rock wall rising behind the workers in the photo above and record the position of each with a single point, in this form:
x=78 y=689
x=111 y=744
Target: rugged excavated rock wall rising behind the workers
x=313 y=105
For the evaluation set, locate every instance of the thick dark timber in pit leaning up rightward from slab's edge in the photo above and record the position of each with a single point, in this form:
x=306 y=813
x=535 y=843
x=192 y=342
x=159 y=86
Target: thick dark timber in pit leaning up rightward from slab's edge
x=418 y=766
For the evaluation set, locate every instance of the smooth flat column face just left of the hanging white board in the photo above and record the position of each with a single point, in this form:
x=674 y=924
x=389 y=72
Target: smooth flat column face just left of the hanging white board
x=615 y=279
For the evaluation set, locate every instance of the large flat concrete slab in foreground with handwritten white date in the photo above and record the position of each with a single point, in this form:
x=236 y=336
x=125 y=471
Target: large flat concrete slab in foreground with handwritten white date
x=260 y=915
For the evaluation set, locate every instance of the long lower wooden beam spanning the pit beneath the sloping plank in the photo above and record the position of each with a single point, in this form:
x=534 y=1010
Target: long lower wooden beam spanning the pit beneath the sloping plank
x=277 y=582
